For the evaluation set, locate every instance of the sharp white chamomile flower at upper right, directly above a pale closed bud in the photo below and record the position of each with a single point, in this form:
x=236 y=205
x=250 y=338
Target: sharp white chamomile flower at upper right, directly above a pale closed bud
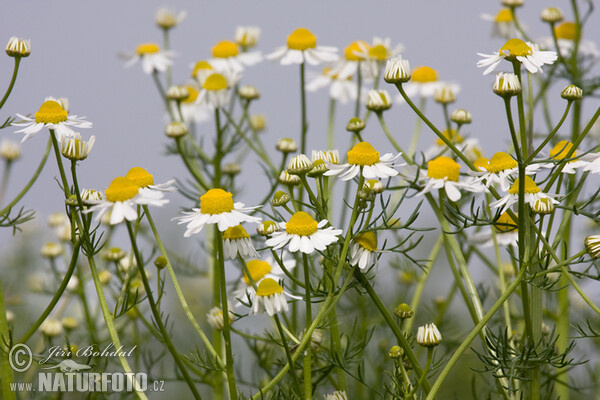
x=527 y=54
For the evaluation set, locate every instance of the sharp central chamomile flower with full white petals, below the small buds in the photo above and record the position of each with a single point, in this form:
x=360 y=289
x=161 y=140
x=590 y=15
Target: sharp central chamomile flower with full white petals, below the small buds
x=303 y=233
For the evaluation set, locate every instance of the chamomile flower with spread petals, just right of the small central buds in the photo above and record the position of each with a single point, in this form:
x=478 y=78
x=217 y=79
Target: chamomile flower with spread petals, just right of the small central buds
x=364 y=156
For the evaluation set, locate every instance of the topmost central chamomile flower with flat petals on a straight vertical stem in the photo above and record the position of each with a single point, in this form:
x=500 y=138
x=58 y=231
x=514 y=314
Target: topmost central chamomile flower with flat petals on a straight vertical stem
x=302 y=47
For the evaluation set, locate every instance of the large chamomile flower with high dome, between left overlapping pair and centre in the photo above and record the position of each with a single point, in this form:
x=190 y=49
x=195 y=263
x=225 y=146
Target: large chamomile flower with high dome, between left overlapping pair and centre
x=216 y=207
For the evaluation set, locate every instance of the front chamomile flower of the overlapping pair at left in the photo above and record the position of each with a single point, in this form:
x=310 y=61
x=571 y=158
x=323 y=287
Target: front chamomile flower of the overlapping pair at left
x=122 y=198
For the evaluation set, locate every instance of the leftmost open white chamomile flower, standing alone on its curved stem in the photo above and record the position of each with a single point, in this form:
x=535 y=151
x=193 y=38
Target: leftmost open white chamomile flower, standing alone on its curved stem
x=53 y=116
